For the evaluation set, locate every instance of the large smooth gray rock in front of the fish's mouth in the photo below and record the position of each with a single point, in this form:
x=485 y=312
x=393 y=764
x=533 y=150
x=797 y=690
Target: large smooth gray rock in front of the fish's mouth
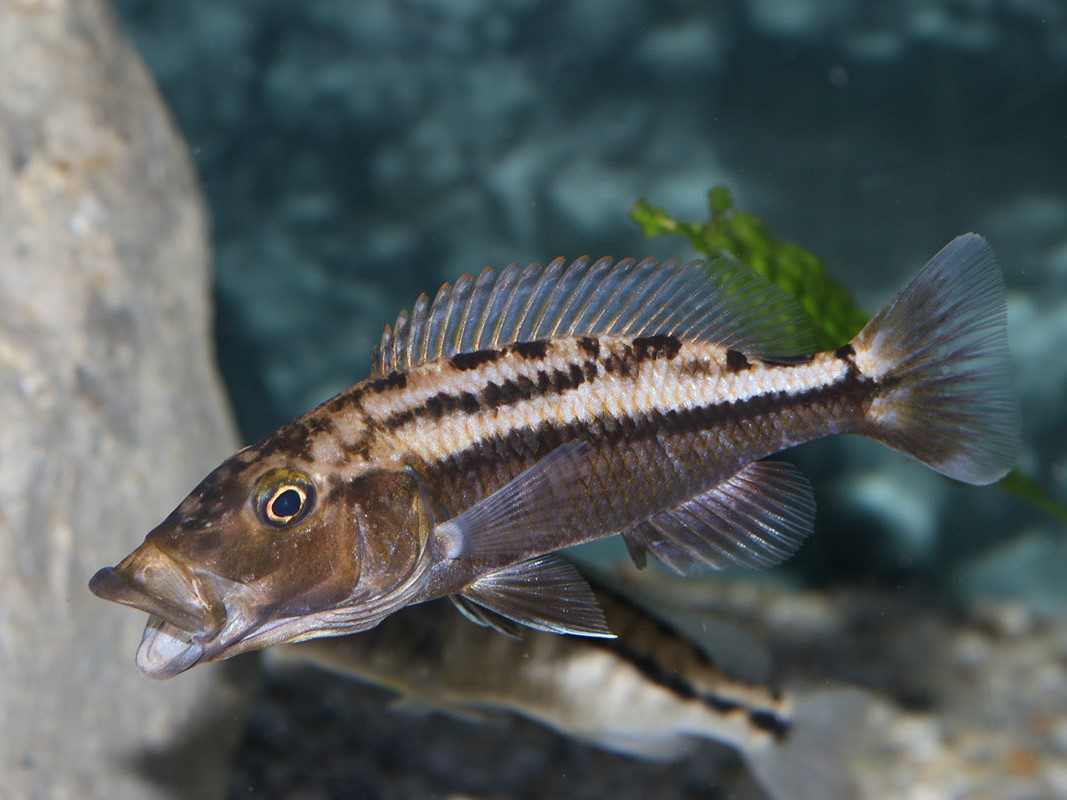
x=110 y=404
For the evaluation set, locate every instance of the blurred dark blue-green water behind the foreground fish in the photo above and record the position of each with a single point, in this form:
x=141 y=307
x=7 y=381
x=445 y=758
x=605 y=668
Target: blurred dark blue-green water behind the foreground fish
x=358 y=154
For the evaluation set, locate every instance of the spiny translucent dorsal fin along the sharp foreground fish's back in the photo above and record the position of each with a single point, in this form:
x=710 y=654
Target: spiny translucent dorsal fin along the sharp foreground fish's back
x=722 y=302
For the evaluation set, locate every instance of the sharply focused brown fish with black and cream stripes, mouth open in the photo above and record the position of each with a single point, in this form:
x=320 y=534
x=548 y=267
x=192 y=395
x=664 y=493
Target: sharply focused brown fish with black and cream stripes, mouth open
x=525 y=411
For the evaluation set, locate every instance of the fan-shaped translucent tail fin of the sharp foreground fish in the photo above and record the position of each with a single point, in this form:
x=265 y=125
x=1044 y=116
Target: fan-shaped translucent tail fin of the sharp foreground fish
x=939 y=351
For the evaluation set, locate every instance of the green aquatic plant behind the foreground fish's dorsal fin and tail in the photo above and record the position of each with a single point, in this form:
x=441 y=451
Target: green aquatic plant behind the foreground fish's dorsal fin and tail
x=834 y=314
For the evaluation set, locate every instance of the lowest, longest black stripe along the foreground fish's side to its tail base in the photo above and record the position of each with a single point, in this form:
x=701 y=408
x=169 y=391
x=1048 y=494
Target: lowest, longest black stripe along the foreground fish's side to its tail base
x=538 y=441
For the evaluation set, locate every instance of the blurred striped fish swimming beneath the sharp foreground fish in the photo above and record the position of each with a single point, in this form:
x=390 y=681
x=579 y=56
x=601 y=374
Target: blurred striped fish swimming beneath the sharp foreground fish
x=650 y=694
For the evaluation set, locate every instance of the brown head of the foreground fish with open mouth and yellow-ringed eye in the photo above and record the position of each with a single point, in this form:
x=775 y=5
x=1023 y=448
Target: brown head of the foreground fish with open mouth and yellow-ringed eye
x=273 y=549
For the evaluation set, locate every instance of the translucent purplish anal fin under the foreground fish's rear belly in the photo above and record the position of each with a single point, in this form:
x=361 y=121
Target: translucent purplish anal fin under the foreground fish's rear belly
x=758 y=518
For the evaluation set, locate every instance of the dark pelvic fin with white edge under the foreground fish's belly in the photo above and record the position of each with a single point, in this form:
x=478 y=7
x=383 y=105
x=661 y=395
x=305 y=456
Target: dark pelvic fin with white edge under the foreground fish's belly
x=544 y=594
